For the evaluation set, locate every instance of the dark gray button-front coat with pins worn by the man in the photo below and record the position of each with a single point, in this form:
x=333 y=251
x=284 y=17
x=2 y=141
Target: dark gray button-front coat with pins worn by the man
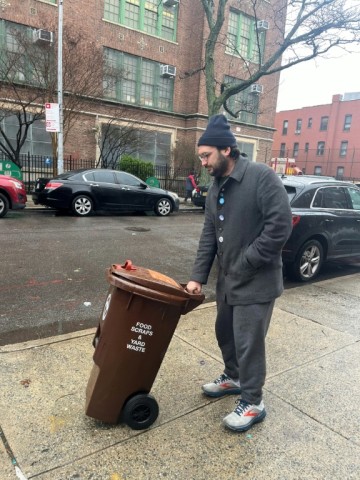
x=246 y=232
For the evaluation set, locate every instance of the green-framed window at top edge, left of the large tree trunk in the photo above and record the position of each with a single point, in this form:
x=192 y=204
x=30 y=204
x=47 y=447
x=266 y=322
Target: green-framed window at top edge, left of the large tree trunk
x=150 y=16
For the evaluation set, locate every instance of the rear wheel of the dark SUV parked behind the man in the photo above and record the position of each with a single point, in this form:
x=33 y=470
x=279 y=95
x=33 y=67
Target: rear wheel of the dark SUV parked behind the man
x=308 y=261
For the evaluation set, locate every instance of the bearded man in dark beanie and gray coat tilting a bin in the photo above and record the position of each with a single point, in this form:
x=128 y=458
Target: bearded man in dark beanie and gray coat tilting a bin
x=247 y=222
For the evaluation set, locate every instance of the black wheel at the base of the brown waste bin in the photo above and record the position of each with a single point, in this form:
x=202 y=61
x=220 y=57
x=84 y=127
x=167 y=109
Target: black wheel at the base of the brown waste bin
x=140 y=411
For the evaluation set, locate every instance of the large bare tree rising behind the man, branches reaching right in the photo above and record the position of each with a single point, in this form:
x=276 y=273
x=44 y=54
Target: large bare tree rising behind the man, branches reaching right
x=302 y=30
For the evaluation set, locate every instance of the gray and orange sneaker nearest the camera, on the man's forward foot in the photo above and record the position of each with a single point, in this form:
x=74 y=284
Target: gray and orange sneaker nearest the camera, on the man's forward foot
x=244 y=416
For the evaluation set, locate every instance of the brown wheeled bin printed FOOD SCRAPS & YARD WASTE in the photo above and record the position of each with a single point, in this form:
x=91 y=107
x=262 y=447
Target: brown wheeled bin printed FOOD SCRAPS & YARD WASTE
x=139 y=318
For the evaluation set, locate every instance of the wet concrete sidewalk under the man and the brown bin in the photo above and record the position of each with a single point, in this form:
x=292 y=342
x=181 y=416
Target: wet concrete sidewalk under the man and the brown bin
x=312 y=397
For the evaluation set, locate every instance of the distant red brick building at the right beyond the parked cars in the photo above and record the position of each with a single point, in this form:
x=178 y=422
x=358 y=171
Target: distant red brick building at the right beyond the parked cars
x=323 y=139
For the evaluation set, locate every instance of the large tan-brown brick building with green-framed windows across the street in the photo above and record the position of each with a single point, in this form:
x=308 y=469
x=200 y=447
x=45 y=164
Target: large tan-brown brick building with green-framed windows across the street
x=157 y=43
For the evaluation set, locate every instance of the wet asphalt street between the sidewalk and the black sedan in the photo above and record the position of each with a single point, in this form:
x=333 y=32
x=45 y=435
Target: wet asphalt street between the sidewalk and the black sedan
x=52 y=278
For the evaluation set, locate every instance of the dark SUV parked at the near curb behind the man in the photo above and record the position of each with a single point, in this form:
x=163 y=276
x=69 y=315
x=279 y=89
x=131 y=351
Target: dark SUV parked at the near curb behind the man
x=326 y=224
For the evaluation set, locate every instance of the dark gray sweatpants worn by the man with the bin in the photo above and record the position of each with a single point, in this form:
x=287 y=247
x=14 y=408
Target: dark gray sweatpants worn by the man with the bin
x=240 y=332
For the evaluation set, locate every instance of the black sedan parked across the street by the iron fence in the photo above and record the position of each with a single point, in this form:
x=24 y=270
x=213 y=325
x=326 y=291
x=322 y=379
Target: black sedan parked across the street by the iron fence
x=86 y=191
